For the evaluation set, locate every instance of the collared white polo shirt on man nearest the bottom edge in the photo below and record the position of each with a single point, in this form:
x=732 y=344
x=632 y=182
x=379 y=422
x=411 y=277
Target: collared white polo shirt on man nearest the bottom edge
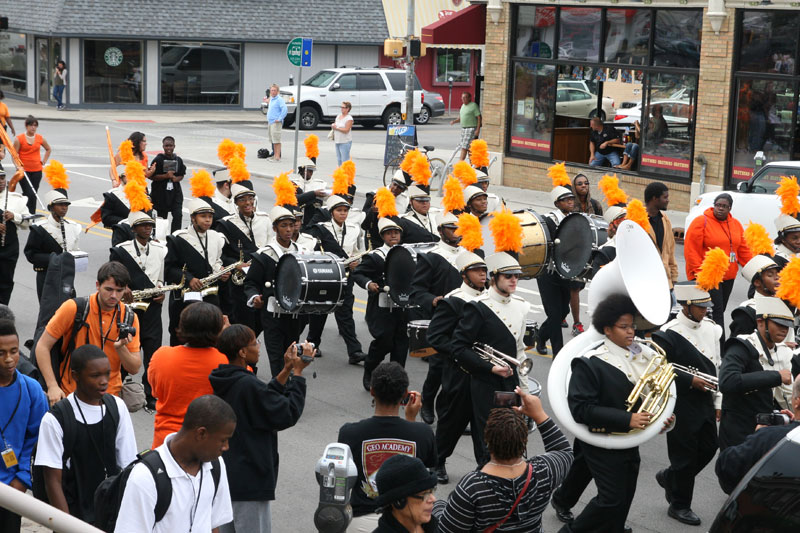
x=186 y=511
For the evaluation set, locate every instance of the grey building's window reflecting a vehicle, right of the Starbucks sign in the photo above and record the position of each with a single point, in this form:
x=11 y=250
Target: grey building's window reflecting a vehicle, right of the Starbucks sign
x=200 y=73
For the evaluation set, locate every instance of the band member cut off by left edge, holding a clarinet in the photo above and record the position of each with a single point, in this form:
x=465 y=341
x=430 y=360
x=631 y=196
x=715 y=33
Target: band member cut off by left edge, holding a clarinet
x=14 y=210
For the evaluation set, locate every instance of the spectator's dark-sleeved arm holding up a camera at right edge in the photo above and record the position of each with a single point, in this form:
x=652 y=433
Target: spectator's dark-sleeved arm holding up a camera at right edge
x=735 y=461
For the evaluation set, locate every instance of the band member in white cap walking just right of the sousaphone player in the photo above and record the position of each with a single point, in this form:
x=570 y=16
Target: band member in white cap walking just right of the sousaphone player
x=691 y=339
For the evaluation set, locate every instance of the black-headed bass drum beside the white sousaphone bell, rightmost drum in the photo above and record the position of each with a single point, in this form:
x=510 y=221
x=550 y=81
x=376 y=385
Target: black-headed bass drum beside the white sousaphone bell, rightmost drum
x=578 y=237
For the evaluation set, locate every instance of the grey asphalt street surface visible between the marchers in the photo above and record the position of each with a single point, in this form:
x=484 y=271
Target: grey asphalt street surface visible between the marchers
x=335 y=395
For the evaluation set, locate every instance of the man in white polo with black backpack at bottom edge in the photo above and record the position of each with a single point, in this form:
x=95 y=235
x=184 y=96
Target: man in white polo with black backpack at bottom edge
x=200 y=500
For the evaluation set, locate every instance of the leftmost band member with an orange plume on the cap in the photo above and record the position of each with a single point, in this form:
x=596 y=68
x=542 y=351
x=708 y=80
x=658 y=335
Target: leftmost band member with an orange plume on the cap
x=54 y=234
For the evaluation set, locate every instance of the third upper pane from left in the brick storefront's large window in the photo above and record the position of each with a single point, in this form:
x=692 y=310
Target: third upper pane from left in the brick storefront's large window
x=627 y=36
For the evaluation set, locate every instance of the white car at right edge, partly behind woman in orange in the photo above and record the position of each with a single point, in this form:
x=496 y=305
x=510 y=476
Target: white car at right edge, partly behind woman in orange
x=755 y=199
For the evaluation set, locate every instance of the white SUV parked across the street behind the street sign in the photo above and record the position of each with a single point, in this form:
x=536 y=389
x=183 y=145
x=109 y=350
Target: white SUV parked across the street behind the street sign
x=375 y=94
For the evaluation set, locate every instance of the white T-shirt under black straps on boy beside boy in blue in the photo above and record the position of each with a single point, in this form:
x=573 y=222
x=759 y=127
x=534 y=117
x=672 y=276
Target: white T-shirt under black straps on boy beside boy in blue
x=51 y=437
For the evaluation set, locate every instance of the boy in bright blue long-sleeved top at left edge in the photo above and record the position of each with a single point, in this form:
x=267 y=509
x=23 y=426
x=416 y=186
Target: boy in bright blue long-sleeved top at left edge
x=22 y=406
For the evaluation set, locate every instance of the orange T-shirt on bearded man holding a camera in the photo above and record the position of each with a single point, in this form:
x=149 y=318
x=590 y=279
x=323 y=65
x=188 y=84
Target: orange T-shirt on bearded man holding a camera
x=61 y=326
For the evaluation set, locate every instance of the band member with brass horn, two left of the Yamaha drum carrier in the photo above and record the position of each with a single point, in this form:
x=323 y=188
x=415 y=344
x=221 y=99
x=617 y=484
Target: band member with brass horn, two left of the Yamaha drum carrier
x=199 y=249
